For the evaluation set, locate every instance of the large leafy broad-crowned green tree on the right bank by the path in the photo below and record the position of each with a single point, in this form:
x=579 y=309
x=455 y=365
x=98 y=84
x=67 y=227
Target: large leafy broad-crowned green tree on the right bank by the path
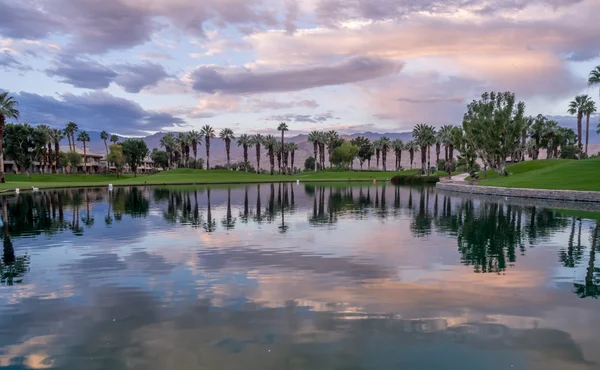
x=493 y=126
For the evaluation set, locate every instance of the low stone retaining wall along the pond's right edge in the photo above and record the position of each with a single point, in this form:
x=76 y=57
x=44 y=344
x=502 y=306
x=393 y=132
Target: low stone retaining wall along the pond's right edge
x=564 y=195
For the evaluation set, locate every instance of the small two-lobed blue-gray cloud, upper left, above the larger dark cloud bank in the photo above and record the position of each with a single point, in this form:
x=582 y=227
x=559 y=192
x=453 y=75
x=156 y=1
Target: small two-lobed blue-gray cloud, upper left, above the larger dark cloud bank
x=88 y=74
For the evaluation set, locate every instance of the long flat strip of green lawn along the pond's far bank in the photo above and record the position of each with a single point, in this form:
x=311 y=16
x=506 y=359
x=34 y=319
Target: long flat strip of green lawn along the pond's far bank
x=188 y=176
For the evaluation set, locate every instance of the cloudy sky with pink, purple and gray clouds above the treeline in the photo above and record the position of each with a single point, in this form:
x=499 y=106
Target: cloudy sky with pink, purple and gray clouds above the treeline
x=140 y=66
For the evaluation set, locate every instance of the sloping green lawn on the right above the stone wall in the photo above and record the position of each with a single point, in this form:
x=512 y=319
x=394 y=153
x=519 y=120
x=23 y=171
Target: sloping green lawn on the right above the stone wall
x=560 y=174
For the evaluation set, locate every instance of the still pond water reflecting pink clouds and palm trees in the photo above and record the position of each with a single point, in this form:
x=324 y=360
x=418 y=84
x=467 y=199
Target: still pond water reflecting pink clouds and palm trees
x=288 y=276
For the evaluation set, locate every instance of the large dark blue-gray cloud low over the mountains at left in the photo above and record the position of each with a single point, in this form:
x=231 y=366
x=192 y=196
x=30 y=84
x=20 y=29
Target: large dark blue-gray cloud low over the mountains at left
x=93 y=111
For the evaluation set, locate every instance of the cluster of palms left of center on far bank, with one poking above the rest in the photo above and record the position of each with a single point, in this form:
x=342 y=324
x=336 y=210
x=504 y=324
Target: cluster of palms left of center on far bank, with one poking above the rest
x=178 y=147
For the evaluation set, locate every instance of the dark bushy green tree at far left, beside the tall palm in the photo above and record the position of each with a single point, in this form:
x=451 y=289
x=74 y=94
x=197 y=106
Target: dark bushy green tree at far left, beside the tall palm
x=23 y=144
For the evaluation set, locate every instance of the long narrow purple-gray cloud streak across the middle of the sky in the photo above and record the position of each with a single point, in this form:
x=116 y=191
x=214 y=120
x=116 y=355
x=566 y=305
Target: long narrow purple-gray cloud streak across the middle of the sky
x=210 y=79
